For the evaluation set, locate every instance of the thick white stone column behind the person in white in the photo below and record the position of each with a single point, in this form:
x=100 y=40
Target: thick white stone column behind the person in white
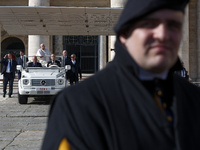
x=34 y=41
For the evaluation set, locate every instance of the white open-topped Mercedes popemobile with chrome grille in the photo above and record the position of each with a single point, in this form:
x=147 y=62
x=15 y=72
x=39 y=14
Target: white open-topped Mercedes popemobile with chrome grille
x=41 y=81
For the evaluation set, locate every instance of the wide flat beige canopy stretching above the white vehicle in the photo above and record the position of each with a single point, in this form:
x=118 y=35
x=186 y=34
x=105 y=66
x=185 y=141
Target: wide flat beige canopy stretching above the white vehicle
x=47 y=20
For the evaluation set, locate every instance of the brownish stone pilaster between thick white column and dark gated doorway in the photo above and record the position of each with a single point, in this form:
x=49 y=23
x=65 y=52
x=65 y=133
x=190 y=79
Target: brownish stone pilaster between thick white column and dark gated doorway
x=58 y=44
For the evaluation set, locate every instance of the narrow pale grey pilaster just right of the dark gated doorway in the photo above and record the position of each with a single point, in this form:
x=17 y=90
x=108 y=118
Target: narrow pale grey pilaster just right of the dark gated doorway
x=102 y=52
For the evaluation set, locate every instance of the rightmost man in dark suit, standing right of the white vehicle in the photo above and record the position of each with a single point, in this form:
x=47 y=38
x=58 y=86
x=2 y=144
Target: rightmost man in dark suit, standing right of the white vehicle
x=75 y=70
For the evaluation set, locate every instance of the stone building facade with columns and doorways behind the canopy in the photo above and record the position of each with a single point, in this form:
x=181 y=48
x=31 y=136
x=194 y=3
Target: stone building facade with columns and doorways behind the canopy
x=93 y=52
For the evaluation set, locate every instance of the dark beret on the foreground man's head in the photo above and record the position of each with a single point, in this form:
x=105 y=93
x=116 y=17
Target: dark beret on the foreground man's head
x=136 y=9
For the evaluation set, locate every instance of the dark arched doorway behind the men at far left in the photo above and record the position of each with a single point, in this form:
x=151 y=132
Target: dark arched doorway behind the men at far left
x=12 y=45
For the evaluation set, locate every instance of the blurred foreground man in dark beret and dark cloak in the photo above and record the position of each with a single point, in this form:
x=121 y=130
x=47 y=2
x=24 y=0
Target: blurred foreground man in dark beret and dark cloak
x=136 y=102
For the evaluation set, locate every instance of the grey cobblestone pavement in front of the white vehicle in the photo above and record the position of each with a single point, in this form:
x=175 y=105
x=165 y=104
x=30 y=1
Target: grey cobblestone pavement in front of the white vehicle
x=22 y=127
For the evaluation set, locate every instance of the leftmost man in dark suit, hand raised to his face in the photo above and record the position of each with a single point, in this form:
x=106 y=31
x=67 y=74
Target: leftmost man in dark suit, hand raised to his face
x=8 y=71
